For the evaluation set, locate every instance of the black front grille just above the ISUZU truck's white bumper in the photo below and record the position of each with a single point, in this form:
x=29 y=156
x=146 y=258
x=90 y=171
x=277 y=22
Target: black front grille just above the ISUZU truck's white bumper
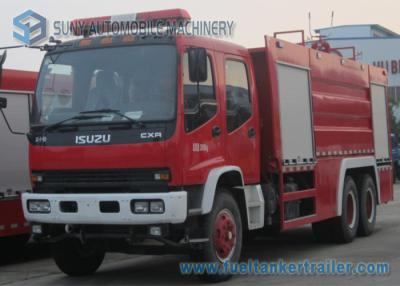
x=99 y=181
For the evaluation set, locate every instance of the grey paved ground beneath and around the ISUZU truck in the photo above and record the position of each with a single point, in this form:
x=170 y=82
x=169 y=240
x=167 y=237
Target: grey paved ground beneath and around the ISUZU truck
x=33 y=265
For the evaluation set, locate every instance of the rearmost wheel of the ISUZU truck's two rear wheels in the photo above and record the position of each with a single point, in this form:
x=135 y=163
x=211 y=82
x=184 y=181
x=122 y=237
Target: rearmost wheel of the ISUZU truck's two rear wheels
x=368 y=204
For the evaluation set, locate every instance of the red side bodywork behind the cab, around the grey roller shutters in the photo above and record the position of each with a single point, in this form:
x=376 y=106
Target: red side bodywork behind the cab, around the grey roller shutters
x=341 y=115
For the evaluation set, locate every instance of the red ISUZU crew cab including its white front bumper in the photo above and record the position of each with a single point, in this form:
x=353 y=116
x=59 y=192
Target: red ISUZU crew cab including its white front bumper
x=131 y=136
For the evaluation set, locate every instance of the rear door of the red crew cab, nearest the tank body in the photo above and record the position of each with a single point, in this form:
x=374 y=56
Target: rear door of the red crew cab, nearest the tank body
x=241 y=123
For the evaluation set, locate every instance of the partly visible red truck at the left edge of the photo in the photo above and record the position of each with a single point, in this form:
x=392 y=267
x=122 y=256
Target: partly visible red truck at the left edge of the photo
x=17 y=86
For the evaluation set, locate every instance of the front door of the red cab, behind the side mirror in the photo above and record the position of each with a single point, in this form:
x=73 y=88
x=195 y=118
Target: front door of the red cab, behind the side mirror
x=203 y=140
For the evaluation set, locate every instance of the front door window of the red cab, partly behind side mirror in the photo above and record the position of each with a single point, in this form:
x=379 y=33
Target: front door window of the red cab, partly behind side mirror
x=199 y=101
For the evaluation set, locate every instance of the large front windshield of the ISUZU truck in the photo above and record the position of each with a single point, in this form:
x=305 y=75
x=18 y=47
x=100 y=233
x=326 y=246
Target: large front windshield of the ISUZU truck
x=138 y=81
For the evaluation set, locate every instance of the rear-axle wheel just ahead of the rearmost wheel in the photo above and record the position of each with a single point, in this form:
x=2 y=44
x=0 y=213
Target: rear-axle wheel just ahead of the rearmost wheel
x=345 y=226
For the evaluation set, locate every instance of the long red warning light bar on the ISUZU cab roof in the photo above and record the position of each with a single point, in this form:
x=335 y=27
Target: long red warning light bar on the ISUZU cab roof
x=85 y=26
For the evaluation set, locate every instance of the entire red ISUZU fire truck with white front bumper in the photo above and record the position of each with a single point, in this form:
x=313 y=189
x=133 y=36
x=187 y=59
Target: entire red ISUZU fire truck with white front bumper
x=158 y=144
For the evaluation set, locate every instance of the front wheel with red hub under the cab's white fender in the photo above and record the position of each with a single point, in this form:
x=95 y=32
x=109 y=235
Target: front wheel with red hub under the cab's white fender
x=224 y=220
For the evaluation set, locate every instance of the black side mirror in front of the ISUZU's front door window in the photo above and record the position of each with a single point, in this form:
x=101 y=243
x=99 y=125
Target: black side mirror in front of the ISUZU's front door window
x=197 y=64
